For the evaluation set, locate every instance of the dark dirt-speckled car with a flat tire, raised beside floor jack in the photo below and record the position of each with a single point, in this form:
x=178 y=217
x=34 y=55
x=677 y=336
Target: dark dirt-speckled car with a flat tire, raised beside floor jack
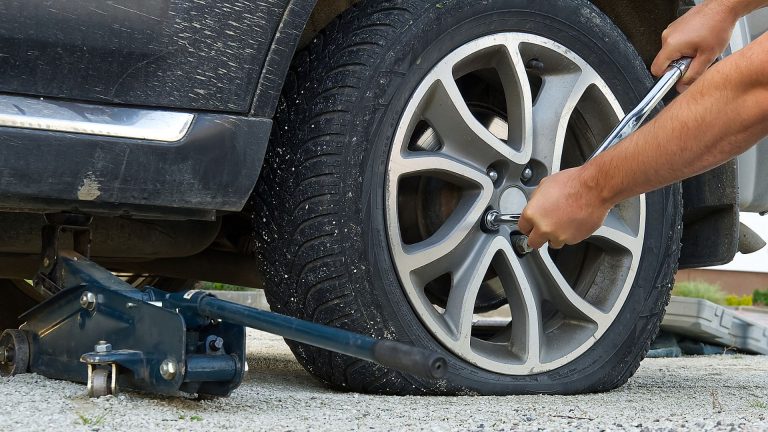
x=341 y=155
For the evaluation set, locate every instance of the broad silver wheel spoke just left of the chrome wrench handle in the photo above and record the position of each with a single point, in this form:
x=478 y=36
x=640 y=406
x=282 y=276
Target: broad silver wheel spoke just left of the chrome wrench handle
x=552 y=111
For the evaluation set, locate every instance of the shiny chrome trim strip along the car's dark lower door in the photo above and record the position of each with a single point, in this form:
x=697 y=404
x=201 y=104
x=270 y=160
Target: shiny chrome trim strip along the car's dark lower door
x=104 y=120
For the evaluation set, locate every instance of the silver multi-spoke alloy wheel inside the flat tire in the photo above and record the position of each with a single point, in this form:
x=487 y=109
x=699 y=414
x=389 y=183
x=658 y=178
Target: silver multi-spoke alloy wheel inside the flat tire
x=482 y=129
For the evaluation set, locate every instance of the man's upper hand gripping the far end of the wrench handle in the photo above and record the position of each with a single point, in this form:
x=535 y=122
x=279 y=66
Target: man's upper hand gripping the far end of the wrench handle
x=702 y=33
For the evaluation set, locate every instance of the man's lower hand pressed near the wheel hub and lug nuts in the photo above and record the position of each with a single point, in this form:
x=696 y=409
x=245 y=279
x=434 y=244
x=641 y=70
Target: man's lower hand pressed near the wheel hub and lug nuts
x=565 y=209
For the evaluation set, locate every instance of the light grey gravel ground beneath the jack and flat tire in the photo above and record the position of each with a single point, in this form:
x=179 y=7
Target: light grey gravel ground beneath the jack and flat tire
x=695 y=393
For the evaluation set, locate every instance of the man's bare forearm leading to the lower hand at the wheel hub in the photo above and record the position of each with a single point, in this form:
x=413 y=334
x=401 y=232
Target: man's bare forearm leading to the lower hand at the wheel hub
x=731 y=100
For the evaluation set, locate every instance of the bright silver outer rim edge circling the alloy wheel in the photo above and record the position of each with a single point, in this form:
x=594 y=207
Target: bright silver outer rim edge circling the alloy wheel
x=426 y=312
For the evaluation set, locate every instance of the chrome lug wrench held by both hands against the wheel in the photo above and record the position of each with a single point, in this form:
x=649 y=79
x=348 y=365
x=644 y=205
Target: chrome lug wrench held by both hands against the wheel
x=631 y=122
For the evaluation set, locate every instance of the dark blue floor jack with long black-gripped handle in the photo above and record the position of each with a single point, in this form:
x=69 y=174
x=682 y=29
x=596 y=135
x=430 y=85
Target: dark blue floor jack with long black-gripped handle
x=97 y=329
